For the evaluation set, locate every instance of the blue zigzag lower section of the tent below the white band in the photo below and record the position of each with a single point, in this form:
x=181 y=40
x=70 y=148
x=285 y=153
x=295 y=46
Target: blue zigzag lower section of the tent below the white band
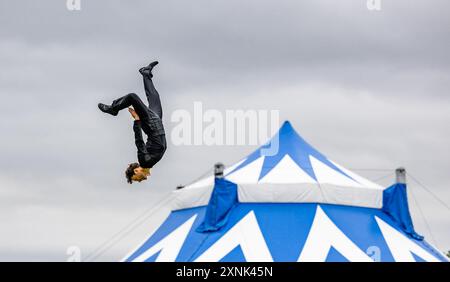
x=285 y=228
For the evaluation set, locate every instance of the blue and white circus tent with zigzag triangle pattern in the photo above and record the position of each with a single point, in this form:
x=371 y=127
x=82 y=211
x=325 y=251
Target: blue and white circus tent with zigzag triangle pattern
x=287 y=202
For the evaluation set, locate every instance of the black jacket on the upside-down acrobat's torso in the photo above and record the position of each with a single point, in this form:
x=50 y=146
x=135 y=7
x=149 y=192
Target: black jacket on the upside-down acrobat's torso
x=152 y=151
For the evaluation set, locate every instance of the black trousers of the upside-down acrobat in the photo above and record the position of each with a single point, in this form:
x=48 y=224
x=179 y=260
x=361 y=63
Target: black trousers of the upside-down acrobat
x=132 y=99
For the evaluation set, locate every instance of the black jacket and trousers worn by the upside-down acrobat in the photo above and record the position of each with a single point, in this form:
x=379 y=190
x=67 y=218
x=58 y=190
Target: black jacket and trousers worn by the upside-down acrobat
x=150 y=122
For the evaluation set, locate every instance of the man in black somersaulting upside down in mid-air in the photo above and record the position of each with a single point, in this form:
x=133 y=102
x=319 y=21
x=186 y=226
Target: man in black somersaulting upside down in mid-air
x=147 y=119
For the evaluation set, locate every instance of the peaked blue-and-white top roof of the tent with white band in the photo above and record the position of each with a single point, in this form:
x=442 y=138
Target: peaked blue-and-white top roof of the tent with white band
x=288 y=169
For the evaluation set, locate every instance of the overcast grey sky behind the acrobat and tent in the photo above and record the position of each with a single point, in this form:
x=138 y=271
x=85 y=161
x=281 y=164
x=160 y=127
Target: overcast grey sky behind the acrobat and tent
x=368 y=89
